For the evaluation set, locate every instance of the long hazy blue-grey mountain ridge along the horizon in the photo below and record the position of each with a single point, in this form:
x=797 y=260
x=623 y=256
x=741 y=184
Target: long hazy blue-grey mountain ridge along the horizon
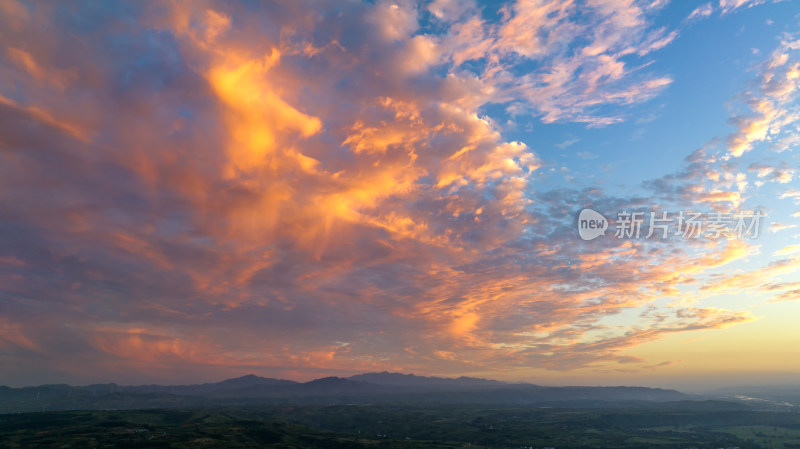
x=368 y=388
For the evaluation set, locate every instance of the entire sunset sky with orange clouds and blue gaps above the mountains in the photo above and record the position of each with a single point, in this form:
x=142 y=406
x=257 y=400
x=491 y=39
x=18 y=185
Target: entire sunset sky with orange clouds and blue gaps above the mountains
x=192 y=191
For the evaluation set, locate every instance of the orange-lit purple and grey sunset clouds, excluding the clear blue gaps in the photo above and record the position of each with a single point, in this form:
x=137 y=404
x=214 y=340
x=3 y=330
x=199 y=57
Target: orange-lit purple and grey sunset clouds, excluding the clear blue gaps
x=312 y=187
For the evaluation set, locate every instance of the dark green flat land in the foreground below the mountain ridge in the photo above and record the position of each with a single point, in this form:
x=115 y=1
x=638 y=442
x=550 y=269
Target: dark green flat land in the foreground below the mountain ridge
x=364 y=426
